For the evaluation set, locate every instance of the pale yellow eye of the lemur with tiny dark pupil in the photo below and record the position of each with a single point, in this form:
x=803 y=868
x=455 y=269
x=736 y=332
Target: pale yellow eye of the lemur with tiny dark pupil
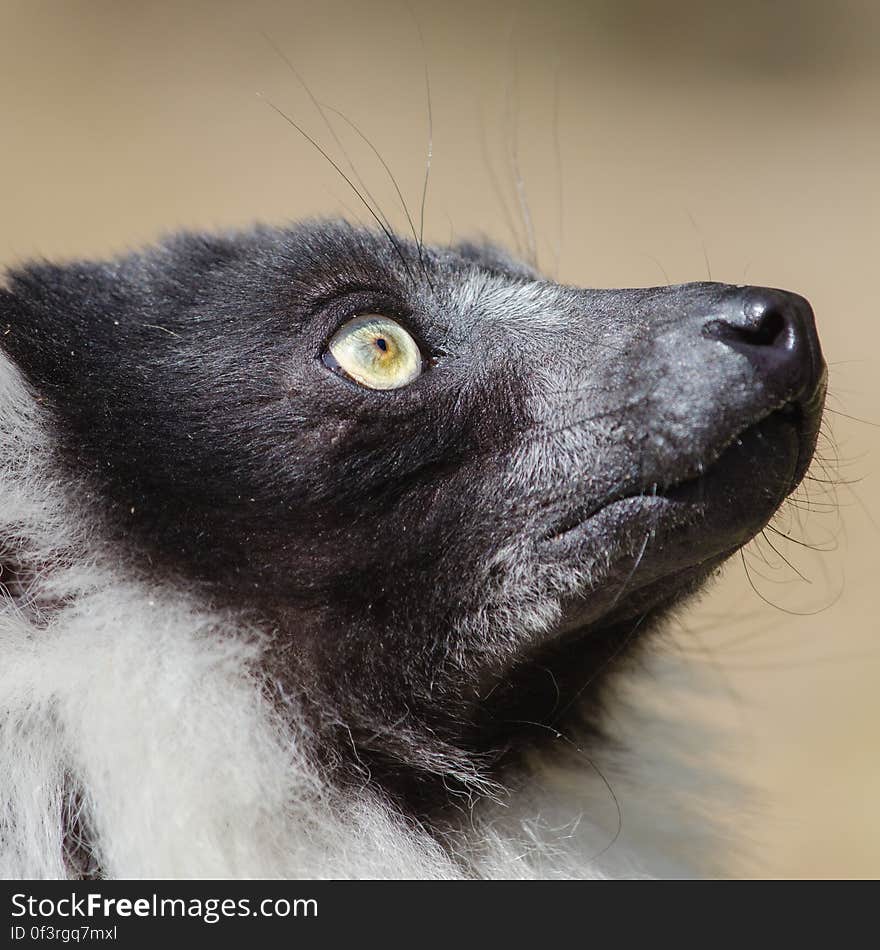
x=376 y=352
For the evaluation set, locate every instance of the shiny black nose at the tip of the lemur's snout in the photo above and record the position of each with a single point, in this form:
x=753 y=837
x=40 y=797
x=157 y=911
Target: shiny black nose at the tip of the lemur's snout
x=776 y=331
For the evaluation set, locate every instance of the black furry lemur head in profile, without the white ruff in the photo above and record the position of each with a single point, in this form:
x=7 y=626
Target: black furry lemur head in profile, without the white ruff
x=452 y=493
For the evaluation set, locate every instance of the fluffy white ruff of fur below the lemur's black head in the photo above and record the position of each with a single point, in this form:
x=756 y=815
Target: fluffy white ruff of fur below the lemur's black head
x=137 y=719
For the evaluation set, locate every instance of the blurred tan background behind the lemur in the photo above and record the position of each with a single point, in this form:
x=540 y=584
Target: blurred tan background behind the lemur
x=656 y=143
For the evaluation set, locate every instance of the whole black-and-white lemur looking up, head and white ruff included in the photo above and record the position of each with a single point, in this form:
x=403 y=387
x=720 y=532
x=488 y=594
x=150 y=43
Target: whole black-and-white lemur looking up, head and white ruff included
x=327 y=554
